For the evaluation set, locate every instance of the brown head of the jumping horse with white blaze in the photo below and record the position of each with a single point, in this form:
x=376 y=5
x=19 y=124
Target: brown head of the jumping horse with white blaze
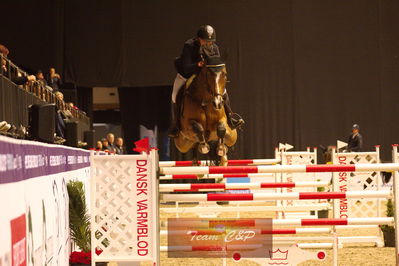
x=216 y=78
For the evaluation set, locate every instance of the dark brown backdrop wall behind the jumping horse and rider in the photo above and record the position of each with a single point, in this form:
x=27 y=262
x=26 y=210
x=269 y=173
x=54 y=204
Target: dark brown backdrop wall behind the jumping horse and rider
x=301 y=71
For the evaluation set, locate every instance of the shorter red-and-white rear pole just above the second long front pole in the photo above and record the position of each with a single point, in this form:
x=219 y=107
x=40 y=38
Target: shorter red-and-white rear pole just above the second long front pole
x=228 y=186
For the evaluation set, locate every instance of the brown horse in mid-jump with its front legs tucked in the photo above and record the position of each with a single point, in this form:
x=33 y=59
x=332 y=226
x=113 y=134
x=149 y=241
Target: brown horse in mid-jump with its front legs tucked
x=203 y=119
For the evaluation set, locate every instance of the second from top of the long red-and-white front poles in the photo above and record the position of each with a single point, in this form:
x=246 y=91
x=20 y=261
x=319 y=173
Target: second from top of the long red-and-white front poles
x=274 y=196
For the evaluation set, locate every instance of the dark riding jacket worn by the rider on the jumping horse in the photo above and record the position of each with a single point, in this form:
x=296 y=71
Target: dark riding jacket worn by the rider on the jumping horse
x=186 y=63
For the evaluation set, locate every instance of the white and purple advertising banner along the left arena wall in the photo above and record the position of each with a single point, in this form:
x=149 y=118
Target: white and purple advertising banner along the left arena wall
x=34 y=226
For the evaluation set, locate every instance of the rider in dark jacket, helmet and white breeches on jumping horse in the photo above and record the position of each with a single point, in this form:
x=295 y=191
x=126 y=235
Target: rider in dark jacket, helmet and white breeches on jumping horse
x=190 y=63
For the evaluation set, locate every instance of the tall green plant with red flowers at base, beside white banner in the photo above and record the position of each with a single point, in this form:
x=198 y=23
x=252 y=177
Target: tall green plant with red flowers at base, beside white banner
x=79 y=225
